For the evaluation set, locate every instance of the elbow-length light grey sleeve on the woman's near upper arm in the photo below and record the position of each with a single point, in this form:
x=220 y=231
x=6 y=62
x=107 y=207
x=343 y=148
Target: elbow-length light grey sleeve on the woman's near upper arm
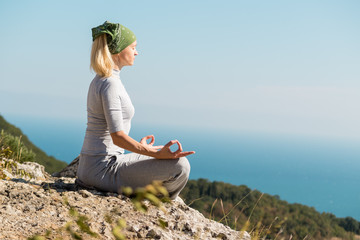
x=110 y=96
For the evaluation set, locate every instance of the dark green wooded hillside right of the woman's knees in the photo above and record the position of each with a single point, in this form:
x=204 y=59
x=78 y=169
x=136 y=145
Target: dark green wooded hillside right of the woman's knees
x=268 y=215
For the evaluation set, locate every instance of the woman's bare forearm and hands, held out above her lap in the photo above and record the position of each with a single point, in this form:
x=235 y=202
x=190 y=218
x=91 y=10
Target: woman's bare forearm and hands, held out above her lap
x=122 y=140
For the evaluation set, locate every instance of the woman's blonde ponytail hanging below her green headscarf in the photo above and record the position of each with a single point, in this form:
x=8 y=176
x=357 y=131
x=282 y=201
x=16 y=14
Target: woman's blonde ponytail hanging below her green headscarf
x=101 y=61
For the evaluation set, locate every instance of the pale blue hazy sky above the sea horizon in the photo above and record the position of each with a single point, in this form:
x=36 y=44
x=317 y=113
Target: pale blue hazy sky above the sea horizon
x=265 y=66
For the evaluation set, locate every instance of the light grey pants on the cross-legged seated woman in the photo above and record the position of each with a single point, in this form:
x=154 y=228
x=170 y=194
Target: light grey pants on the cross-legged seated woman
x=111 y=173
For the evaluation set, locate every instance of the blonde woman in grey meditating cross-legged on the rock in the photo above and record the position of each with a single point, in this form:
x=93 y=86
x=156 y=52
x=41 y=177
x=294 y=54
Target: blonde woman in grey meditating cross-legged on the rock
x=103 y=164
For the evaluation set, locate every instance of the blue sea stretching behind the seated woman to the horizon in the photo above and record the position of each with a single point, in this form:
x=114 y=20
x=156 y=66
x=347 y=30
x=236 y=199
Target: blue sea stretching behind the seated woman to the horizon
x=322 y=173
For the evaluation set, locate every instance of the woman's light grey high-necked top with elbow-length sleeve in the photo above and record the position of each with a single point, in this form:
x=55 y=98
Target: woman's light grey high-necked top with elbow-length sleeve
x=109 y=110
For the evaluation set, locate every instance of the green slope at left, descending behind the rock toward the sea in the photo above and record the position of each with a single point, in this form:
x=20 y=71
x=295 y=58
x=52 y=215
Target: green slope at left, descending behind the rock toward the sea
x=51 y=164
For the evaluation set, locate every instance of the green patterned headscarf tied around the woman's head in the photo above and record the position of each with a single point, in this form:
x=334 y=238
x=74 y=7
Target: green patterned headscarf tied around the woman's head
x=118 y=37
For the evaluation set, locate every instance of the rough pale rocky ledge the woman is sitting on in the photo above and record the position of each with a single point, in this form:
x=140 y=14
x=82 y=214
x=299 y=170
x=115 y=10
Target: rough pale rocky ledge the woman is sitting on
x=55 y=207
